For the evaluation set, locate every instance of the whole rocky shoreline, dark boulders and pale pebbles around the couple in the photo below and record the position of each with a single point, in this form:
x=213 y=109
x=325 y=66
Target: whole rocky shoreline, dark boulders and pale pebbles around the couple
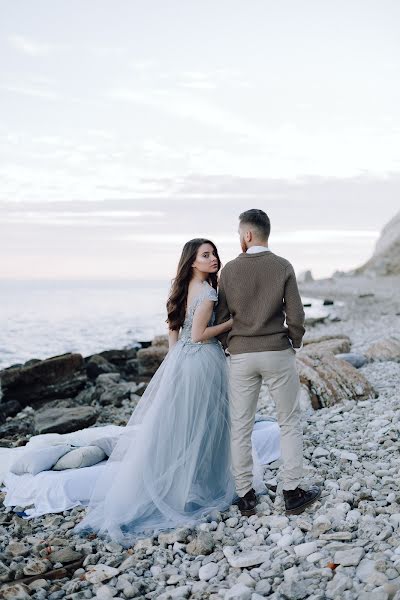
x=347 y=546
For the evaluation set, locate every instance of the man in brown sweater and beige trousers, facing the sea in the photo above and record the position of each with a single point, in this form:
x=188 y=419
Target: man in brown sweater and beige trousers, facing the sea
x=259 y=290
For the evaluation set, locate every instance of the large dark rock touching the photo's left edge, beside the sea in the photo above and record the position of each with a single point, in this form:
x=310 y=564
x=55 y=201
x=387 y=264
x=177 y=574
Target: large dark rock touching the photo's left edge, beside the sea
x=57 y=377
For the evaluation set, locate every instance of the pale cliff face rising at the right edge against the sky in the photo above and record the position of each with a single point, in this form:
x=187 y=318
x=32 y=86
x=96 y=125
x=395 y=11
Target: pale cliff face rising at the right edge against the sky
x=386 y=258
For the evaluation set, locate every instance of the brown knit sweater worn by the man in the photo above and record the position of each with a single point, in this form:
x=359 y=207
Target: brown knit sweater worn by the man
x=259 y=290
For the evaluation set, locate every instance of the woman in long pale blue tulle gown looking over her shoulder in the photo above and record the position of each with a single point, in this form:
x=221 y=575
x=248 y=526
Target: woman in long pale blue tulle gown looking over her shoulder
x=171 y=465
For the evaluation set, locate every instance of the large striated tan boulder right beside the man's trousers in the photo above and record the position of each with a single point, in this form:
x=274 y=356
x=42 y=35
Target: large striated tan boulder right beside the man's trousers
x=331 y=380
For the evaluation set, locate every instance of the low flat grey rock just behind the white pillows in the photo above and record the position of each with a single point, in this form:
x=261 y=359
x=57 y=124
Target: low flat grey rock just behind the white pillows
x=54 y=420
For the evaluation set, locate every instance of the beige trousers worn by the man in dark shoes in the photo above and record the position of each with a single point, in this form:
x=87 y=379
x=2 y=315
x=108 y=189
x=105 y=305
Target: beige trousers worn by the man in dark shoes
x=278 y=369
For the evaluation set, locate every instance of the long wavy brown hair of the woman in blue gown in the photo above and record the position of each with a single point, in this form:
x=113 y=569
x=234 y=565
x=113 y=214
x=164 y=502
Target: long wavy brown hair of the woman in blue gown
x=177 y=300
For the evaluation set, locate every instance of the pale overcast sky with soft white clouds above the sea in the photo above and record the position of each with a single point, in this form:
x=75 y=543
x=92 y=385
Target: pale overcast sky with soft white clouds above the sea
x=128 y=127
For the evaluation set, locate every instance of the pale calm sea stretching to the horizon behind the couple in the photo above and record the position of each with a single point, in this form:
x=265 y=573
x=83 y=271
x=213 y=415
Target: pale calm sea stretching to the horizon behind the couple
x=39 y=319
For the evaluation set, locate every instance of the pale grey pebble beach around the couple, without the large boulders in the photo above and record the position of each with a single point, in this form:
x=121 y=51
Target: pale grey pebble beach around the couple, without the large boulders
x=345 y=546
